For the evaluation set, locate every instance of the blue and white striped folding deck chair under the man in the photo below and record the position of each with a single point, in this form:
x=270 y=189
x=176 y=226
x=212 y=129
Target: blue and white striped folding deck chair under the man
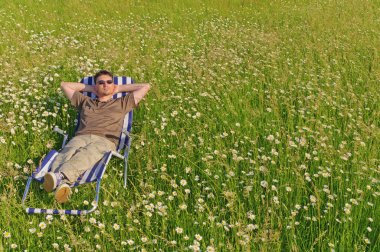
x=96 y=173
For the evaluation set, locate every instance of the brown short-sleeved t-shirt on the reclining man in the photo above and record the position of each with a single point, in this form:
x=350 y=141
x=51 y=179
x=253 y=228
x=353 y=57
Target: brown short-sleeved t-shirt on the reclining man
x=104 y=119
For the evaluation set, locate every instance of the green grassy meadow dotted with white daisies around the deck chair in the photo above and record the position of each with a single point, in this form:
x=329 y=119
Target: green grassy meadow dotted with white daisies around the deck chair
x=261 y=131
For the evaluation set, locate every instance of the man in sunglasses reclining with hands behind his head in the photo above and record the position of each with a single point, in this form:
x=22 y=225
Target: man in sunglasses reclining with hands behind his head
x=101 y=121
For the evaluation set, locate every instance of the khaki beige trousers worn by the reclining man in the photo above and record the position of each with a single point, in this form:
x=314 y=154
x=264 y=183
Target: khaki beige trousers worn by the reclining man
x=80 y=155
